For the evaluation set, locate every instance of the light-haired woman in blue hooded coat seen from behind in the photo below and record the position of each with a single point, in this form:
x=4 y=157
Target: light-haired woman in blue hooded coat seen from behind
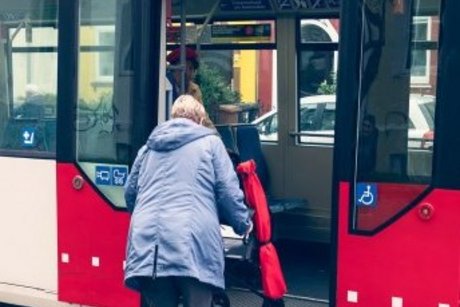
x=182 y=182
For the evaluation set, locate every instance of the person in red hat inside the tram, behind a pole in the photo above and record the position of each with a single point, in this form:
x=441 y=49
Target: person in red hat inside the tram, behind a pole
x=191 y=66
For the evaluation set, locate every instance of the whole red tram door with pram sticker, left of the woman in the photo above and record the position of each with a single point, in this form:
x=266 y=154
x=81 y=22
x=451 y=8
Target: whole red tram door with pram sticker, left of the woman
x=104 y=116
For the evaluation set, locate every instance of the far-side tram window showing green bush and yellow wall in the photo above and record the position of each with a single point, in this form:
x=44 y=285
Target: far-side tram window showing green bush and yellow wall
x=238 y=86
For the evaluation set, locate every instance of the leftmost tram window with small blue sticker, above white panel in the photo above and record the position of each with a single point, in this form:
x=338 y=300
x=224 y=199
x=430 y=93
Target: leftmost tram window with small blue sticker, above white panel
x=28 y=78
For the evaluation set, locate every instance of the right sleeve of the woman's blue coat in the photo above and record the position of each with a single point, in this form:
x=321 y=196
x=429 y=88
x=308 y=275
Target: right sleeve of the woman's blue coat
x=229 y=197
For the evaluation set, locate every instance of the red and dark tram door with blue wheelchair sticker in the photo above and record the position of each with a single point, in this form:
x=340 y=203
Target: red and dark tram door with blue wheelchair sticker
x=396 y=174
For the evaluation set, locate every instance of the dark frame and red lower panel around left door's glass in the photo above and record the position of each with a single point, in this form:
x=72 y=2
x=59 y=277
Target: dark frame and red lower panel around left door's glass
x=91 y=229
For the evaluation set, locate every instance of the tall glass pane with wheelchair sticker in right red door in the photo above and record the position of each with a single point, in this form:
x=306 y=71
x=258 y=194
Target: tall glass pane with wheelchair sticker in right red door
x=396 y=108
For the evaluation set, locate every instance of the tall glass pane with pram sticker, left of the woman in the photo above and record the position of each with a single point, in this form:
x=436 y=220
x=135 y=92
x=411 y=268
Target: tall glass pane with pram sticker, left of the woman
x=105 y=95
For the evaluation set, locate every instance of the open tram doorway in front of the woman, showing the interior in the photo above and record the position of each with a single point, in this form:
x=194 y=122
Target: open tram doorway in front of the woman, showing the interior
x=274 y=69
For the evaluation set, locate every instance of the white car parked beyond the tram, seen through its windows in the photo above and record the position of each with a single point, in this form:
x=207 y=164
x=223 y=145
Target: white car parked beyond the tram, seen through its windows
x=317 y=121
